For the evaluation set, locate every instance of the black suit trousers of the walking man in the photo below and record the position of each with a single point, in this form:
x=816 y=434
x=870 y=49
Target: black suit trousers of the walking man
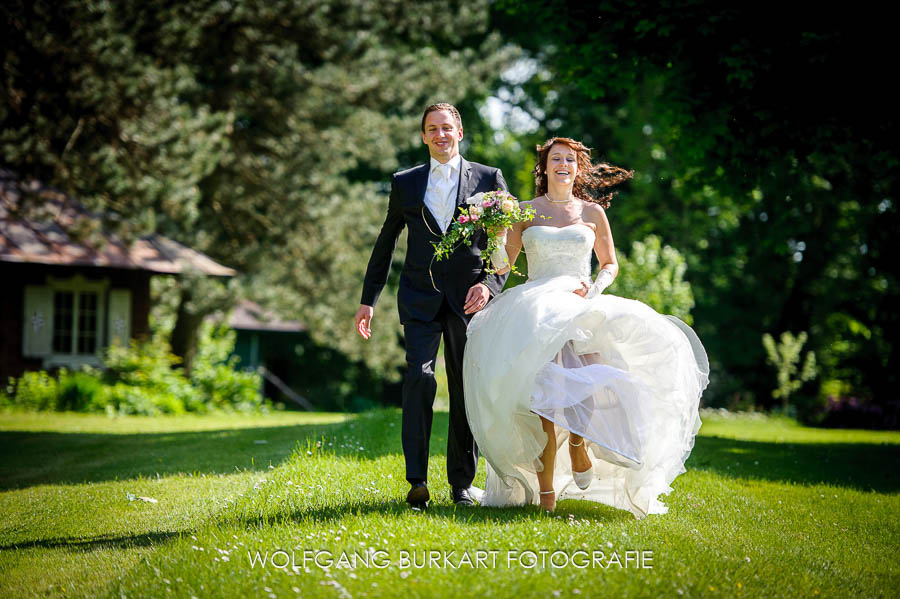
x=423 y=339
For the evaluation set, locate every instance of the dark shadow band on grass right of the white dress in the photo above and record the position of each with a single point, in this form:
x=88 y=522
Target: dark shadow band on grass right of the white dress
x=860 y=466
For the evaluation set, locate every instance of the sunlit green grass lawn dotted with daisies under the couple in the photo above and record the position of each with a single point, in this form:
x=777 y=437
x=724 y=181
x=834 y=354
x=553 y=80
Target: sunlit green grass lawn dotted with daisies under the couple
x=767 y=508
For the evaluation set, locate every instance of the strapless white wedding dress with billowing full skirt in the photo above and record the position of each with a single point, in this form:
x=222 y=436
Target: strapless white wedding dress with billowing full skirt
x=610 y=369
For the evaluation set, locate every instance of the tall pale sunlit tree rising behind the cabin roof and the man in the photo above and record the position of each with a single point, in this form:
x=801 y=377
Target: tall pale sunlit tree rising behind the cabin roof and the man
x=261 y=133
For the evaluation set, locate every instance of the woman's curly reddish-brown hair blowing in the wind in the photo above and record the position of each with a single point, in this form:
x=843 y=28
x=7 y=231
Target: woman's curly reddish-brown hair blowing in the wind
x=593 y=182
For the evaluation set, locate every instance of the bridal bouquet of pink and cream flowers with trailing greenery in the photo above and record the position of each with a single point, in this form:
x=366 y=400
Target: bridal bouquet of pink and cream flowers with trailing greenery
x=493 y=211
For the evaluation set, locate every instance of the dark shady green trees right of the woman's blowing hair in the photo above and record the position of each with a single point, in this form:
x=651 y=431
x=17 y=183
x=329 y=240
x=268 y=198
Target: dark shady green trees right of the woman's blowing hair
x=762 y=143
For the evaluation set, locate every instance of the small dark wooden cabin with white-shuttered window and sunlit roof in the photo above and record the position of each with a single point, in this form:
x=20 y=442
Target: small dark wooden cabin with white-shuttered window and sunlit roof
x=64 y=298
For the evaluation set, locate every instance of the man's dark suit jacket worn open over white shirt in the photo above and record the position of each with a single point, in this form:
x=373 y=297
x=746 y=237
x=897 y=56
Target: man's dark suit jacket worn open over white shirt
x=425 y=282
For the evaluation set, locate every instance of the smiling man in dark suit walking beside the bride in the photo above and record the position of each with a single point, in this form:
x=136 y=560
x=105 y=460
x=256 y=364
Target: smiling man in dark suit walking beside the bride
x=435 y=298
